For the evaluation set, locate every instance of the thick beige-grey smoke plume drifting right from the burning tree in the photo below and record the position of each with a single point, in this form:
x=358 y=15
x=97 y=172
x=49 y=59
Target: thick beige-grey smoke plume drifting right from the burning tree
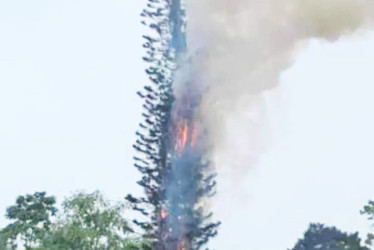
x=238 y=49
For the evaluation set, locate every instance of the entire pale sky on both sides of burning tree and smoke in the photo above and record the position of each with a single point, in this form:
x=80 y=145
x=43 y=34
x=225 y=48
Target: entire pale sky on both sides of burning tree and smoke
x=69 y=71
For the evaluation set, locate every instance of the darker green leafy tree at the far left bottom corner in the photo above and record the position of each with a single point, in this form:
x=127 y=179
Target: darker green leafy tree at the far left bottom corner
x=31 y=216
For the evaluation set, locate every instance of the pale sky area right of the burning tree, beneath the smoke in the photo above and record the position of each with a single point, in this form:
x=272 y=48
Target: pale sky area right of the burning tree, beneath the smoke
x=318 y=166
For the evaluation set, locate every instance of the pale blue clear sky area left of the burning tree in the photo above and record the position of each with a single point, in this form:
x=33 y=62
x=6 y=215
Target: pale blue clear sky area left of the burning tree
x=69 y=72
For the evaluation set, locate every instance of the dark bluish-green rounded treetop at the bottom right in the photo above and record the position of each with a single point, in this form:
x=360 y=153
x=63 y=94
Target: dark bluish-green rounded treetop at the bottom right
x=328 y=238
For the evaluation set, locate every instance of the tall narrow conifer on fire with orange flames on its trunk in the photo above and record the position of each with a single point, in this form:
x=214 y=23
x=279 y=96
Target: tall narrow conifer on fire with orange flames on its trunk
x=176 y=176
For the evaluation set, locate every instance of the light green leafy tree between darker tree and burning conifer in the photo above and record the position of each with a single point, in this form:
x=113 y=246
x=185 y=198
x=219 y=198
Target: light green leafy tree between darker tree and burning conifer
x=90 y=223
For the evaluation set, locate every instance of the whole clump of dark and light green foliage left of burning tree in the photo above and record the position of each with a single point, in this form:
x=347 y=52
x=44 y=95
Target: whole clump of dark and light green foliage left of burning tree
x=88 y=222
